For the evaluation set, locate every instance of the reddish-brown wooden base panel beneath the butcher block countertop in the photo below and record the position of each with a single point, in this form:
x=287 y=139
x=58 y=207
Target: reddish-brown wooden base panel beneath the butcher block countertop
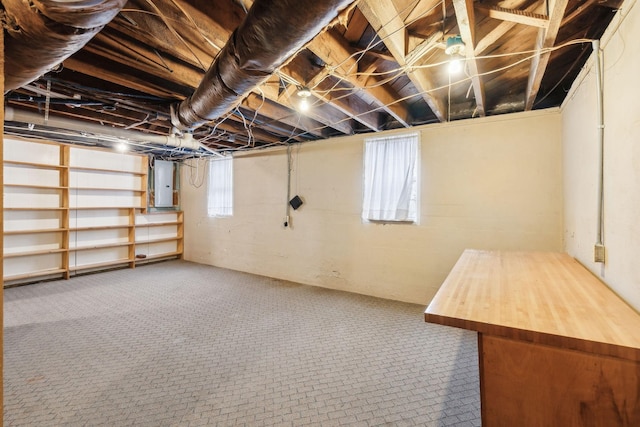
x=526 y=384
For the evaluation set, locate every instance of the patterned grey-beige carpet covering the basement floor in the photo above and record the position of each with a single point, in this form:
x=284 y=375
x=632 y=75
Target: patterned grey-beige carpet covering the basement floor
x=182 y=344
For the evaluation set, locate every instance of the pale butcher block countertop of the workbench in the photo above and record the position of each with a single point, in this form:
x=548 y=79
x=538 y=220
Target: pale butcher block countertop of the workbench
x=540 y=297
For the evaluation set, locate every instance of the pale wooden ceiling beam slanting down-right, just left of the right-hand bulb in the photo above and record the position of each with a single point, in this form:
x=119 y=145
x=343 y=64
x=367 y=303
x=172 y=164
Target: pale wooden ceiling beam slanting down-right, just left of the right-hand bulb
x=383 y=17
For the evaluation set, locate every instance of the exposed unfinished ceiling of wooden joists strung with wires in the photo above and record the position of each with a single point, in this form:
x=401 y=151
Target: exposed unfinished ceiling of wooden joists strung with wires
x=379 y=66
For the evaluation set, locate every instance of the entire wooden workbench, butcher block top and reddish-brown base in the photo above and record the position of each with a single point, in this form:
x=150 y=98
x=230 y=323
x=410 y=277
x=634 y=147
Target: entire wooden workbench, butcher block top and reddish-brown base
x=556 y=346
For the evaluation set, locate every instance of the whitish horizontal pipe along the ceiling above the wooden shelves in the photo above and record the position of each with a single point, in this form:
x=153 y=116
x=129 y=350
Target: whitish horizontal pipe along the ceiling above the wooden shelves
x=186 y=141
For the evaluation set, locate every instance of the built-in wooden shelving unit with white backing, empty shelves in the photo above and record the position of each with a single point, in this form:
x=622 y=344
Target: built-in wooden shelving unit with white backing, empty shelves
x=94 y=218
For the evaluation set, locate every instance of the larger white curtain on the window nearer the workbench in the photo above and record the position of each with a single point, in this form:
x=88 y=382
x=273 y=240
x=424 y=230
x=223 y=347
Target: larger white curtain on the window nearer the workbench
x=390 y=181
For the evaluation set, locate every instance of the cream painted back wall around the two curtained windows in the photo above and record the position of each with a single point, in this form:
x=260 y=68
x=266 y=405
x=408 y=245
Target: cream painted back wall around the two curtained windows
x=492 y=183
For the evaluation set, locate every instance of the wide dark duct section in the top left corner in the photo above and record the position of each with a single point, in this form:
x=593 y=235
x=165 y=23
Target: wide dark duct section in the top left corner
x=40 y=34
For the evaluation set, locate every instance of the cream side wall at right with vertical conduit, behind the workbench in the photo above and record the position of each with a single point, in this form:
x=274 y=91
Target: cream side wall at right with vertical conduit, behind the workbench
x=621 y=160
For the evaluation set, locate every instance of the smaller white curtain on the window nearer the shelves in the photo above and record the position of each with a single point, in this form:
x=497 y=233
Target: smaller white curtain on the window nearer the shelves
x=220 y=191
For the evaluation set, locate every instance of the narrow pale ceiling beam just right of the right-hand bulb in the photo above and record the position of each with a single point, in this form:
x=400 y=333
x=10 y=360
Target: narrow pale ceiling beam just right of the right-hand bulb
x=466 y=24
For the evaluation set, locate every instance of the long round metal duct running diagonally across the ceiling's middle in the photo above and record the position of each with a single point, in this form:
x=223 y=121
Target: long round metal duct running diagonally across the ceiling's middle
x=271 y=33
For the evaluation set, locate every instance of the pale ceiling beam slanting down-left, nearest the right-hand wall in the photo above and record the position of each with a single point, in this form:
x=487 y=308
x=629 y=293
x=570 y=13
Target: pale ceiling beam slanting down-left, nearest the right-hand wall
x=545 y=40
